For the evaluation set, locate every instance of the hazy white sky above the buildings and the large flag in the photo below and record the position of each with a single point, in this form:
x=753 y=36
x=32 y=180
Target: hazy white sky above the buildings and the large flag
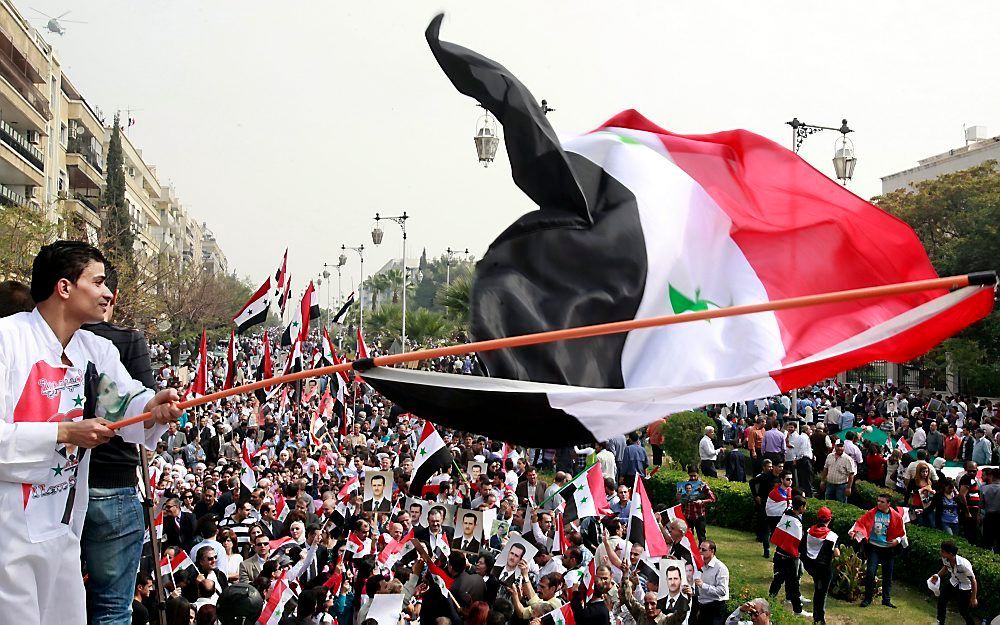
x=292 y=123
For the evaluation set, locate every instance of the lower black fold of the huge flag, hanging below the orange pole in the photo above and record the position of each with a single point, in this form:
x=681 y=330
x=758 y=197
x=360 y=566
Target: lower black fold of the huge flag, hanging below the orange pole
x=471 y=403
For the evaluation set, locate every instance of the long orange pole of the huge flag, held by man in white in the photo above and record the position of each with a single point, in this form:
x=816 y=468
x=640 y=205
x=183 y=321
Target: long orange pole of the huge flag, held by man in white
x=614 y=327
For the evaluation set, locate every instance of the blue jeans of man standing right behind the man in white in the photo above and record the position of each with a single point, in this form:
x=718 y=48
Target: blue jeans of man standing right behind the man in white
x=111 y=546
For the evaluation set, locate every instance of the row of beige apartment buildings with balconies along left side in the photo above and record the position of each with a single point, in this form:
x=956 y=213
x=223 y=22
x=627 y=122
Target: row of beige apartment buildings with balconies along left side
x=53 y=152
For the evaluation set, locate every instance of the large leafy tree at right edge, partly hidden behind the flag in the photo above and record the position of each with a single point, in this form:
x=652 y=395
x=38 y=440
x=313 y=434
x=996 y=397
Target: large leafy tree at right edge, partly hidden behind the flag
x=957 y=218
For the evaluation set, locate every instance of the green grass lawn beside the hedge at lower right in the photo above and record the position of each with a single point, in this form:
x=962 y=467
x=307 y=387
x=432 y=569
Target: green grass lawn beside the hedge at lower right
x=751 y=575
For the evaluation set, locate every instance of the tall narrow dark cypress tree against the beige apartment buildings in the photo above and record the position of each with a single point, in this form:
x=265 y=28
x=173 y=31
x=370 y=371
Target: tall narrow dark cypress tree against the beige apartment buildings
x=117 y=237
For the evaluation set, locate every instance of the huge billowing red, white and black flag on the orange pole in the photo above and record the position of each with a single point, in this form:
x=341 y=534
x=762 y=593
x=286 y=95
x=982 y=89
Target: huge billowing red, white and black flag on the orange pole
x=637 y=222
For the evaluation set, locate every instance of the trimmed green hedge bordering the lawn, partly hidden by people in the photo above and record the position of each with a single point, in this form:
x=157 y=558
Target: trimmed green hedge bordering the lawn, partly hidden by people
x=734 y=509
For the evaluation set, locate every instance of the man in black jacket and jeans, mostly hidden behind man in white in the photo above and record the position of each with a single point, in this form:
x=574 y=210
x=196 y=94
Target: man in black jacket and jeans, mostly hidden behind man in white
x=111 y=544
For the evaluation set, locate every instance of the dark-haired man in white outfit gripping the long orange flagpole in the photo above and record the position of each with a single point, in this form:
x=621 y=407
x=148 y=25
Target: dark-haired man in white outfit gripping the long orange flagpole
x=46 y=365
